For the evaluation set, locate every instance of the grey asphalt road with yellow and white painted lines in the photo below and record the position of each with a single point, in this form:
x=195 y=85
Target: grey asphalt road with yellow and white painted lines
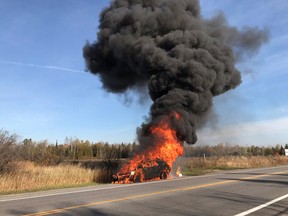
x=244 y=192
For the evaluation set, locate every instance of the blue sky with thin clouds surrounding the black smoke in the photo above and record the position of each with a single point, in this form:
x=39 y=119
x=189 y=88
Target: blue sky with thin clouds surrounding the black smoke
x=46 y=94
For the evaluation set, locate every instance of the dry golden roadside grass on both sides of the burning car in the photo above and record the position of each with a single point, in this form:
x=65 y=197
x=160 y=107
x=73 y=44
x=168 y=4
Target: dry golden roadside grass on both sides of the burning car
x=31 y=177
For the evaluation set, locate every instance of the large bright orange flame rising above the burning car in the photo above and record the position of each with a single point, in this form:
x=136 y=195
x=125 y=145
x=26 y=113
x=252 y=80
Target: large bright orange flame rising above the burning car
x=166 y=146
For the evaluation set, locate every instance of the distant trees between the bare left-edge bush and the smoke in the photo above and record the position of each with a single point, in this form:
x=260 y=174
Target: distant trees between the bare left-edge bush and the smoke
x=73 y=149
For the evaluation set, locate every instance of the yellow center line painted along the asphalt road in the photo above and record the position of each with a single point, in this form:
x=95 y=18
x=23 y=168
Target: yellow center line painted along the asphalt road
x=55 y=211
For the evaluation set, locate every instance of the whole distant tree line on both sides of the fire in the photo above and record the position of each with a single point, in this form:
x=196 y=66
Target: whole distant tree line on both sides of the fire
x=13 y=149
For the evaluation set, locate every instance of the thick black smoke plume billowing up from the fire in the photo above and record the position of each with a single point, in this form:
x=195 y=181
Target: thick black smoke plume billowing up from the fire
x=166 y=45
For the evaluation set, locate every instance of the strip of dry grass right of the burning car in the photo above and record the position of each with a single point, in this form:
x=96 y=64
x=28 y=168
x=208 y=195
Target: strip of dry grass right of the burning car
x=197 y=166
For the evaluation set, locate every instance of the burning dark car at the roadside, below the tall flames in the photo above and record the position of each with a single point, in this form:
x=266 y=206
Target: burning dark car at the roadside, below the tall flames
x=146 y=170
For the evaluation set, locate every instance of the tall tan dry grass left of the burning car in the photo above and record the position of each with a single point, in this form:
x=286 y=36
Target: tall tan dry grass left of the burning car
x=32 y=177
